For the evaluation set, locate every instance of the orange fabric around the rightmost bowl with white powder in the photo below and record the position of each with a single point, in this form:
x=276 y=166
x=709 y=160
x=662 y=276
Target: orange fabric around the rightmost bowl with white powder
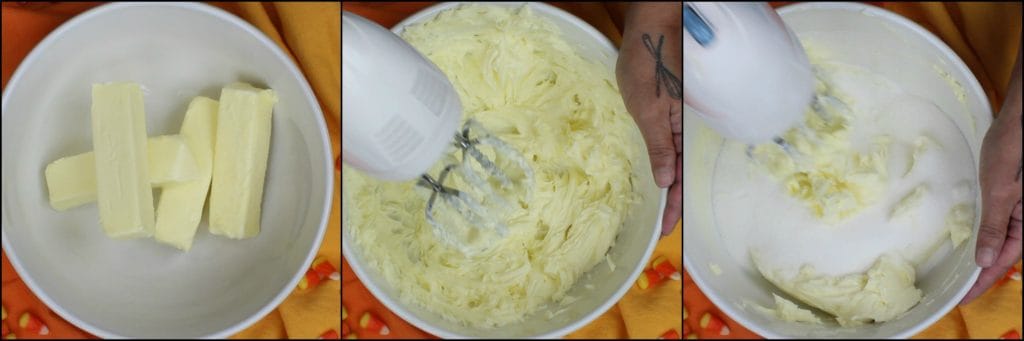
x=987 y=37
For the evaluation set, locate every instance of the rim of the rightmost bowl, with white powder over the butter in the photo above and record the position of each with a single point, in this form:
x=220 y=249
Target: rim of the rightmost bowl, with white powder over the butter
x=973 y=86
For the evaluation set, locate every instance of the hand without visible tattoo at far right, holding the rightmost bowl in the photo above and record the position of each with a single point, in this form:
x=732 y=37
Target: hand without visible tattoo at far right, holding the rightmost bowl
x=1000 y=236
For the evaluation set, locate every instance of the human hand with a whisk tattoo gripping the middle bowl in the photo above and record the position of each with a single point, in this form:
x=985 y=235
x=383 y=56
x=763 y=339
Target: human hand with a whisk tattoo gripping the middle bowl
x=648 y=71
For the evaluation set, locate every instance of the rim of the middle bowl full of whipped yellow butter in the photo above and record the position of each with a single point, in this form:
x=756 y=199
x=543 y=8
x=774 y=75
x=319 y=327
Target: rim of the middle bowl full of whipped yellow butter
x=397 y=308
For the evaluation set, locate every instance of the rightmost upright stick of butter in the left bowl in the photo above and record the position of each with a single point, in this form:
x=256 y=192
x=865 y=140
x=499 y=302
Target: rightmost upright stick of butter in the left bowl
x=243 y=142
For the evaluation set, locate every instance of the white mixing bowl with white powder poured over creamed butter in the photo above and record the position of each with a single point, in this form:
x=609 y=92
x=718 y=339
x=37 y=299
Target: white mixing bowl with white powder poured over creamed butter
x=887 y=45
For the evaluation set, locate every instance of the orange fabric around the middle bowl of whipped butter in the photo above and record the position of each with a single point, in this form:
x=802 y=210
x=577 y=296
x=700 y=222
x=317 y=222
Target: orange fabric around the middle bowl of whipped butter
x=642 y=314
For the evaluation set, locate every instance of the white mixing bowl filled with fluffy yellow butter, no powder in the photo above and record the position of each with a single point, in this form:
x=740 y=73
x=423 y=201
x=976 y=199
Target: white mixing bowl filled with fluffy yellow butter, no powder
x=633 y=246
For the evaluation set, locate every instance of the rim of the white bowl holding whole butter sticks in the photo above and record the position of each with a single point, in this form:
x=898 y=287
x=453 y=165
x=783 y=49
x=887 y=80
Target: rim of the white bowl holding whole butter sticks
x=230 y=19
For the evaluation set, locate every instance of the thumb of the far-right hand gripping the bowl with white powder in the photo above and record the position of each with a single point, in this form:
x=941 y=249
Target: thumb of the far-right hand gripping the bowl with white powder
x=995 y=219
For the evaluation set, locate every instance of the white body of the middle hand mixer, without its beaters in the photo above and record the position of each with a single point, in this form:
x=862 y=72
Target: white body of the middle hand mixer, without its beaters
x=400 y=110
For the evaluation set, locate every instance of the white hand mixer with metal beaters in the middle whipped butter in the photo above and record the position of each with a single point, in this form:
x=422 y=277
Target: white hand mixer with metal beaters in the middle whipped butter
x=402 y=116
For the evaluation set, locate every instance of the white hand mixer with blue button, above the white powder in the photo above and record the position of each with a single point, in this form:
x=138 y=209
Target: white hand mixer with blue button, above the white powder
x=745 y=72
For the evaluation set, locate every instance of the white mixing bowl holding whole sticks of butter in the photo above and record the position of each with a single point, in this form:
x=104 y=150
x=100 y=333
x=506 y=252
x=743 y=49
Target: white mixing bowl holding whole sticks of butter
x=142 y=288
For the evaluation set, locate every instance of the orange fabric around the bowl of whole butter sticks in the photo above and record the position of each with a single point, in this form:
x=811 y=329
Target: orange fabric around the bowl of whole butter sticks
x=310 y=33
